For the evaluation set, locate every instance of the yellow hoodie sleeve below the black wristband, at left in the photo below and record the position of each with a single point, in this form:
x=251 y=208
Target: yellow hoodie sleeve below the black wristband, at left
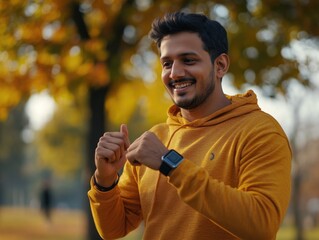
x=116 y=212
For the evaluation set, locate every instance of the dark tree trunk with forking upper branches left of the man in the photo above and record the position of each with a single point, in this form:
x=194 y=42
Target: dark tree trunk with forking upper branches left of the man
x=98 y=95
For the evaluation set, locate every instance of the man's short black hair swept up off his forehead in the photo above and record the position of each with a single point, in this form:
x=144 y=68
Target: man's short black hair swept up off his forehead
x=211 y=32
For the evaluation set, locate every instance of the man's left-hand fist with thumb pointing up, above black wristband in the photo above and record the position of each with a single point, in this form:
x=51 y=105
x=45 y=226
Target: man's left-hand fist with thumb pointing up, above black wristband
x=110 y=155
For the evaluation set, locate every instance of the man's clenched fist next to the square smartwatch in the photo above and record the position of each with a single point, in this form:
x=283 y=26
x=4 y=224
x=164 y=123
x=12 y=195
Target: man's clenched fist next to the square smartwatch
x=147 y=150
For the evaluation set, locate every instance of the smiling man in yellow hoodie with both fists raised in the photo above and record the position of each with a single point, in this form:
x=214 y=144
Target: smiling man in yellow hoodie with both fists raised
x=219 y=168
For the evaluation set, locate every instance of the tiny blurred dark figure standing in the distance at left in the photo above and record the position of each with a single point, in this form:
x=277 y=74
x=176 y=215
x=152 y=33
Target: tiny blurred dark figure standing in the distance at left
x=46 y=199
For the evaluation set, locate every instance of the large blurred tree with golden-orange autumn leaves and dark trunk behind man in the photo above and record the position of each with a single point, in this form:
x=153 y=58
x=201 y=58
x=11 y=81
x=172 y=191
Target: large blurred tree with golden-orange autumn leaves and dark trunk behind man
x=60 y=45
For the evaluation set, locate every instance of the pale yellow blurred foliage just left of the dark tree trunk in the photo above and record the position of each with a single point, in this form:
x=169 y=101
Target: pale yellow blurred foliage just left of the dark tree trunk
x=60 y=144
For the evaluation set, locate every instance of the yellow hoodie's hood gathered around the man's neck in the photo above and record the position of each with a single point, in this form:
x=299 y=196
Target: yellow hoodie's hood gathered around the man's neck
x=240 y=104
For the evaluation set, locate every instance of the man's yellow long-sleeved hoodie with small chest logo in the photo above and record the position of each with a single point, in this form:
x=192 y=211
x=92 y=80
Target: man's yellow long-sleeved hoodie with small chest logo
x=234 y=182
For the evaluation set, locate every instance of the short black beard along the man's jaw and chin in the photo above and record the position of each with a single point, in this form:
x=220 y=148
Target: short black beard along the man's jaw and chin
x=198 y=99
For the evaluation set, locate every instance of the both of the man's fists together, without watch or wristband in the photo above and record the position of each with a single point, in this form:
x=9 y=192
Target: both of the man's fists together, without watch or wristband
x=114 y=148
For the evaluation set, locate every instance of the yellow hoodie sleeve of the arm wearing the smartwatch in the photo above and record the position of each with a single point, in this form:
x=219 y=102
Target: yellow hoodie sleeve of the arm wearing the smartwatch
x=256 y=207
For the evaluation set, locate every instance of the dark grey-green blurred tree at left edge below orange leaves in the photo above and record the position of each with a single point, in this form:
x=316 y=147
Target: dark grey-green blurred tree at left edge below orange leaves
x=13 y=178
